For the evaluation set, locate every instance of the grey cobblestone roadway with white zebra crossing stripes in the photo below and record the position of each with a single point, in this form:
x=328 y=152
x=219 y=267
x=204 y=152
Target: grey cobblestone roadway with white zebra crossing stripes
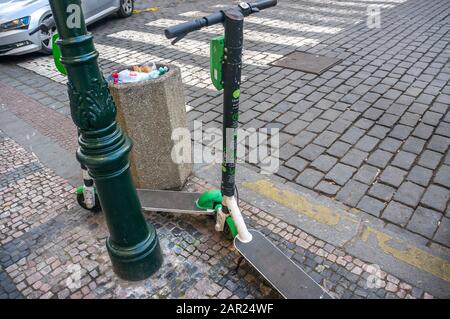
x=372 y=132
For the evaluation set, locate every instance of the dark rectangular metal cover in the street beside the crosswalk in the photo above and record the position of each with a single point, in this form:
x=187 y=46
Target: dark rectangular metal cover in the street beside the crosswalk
x=306 y=62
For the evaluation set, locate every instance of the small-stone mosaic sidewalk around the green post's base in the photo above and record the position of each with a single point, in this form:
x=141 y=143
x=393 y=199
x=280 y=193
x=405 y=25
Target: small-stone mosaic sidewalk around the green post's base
x=51 y=248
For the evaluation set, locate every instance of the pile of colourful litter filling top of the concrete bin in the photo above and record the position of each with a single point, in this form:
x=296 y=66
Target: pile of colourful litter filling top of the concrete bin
x=138 y=73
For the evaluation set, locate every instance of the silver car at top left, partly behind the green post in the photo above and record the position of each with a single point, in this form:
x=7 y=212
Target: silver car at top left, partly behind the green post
x=17 y=17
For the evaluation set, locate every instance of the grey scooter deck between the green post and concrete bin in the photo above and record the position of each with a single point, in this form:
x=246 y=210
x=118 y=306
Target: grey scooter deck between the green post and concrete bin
x=170 y=201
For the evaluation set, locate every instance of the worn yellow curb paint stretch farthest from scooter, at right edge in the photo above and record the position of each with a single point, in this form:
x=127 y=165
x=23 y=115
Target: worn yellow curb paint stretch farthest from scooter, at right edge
x=411 y=255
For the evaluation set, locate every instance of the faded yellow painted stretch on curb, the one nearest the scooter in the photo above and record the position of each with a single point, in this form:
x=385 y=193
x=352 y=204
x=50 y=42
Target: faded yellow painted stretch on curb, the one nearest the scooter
x=300 y=204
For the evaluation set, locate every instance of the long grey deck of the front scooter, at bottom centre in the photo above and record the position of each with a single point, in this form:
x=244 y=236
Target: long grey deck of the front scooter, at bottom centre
x=284 y=275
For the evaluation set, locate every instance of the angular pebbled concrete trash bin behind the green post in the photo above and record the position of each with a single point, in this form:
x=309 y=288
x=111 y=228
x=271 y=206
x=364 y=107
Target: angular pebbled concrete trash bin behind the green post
x=148 y=111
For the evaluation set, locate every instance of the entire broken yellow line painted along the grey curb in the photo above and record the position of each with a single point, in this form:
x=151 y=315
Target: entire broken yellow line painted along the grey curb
x=323 y=214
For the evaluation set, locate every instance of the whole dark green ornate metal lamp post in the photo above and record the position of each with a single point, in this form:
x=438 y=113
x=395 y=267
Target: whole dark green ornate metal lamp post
x=133 y=244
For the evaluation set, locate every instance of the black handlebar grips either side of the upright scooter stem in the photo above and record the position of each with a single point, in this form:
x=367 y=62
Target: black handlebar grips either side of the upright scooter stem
x=184 y=28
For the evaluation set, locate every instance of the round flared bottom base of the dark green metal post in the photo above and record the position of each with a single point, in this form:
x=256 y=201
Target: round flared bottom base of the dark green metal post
x=138 y=262
